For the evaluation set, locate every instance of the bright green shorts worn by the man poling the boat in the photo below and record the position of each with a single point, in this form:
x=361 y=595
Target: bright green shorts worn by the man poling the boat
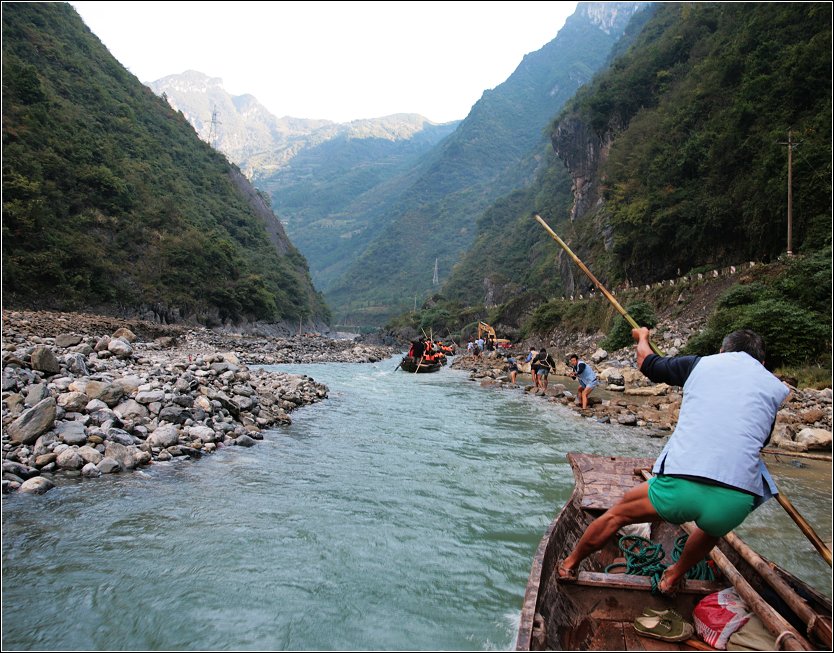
x=715 y=510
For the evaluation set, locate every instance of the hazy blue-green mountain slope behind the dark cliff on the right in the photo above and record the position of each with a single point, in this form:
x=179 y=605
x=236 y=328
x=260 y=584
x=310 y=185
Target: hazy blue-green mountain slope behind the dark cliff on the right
x=429 y=213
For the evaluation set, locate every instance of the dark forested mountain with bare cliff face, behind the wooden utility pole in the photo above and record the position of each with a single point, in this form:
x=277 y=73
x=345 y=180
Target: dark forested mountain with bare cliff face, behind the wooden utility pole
x=677 y=158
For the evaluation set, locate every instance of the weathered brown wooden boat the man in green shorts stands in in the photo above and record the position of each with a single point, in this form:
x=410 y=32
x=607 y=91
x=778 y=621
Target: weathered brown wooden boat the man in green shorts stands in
x=597 y=610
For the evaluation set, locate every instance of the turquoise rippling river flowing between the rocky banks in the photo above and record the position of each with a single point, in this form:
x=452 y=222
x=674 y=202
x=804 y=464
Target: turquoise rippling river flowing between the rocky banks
x=401 y=513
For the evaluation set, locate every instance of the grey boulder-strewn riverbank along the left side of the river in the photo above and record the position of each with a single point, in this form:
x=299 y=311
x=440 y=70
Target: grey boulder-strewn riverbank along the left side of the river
x=86 y=395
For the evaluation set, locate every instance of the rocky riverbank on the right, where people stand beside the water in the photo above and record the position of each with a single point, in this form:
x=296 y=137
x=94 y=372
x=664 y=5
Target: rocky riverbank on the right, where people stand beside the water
x=626 y=397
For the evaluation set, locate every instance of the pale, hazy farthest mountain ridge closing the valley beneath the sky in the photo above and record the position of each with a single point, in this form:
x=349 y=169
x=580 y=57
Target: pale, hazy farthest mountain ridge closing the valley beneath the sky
x=313 y=170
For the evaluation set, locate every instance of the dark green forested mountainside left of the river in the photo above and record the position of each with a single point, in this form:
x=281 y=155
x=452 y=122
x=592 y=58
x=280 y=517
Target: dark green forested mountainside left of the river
x=112 y=203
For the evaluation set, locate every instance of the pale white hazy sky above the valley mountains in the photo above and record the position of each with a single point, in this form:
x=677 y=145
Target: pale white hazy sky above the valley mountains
x=334 y=60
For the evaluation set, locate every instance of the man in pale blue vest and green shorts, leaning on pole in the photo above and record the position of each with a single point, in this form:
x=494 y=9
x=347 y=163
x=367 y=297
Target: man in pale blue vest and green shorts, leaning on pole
x=709 y=471
